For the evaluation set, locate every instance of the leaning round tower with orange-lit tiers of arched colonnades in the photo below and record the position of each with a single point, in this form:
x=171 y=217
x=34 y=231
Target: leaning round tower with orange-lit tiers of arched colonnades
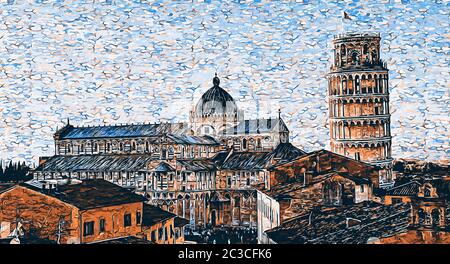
x=358 y=92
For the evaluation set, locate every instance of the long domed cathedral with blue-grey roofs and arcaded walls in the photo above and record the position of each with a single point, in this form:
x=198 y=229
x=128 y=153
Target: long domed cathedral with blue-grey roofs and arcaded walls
x=202 y=170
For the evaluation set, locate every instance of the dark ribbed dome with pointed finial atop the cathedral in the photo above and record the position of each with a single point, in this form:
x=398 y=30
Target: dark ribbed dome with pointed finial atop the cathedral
x=216 y=101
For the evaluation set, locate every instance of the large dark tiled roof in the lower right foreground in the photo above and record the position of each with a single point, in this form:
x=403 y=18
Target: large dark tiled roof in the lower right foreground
x=344 y=225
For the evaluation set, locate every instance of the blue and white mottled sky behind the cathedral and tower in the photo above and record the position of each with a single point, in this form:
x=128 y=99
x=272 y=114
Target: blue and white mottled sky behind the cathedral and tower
x=110 y=62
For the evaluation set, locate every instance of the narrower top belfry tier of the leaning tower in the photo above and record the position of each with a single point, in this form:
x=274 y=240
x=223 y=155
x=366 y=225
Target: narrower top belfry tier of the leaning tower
x=357 y=51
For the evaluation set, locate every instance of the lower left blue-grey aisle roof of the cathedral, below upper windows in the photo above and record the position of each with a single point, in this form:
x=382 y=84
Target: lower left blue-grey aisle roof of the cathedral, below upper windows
x=81 y=163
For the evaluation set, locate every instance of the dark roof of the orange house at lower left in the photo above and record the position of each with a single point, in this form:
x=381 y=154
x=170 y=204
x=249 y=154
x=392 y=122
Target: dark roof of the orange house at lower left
x=89 y=194
